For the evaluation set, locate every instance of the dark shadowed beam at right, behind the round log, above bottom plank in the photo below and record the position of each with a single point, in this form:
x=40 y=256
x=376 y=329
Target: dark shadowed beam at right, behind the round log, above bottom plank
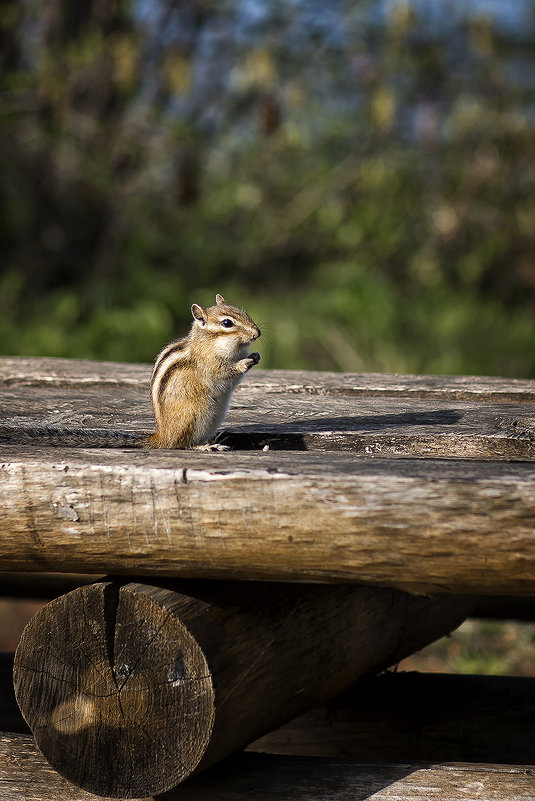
x=418 y=717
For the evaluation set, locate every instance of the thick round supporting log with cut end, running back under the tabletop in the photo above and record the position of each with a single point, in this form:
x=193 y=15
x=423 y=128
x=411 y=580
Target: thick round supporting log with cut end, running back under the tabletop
x=130 y=688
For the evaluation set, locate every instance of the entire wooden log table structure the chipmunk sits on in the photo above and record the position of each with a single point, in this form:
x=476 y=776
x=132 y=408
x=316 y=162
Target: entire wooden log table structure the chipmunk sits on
x=357 y=518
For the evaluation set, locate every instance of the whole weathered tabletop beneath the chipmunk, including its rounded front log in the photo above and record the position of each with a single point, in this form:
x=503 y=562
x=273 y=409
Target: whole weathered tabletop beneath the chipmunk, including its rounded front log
x=327 y=502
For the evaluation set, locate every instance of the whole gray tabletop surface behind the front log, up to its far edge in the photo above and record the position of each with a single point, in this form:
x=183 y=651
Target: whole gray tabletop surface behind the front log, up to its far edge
x=100 y=404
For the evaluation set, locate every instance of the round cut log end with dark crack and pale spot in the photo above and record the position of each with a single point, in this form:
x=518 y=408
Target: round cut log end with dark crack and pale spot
x=123 y=677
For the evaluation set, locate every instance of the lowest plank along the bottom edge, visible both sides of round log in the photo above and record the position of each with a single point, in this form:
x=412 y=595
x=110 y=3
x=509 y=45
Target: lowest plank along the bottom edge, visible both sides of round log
x=25 y=774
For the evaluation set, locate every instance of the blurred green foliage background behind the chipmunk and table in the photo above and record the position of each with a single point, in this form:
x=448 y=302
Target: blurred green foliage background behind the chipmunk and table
x=372 y=204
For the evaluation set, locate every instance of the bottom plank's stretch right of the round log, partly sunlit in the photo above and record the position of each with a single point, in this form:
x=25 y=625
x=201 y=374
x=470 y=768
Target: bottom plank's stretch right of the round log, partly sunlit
x=303 y=779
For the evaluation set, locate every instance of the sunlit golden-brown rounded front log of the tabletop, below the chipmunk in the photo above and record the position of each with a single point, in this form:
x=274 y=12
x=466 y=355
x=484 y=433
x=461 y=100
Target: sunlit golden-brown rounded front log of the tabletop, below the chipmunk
x=428 y=526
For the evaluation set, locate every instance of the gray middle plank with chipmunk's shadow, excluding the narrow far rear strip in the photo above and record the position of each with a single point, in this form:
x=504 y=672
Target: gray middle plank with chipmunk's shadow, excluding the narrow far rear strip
x=108 y=415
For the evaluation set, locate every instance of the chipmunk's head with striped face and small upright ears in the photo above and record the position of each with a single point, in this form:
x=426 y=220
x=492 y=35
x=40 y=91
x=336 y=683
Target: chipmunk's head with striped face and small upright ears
x=231 y=328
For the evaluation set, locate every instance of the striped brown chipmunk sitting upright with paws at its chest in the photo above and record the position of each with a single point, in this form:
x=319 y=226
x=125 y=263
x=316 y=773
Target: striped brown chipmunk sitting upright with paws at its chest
x=193 y=378
